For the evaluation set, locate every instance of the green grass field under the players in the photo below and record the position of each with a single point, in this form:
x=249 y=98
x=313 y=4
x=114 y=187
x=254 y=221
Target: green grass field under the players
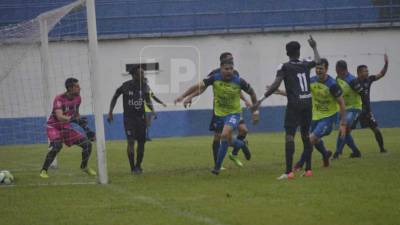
x=178 y=188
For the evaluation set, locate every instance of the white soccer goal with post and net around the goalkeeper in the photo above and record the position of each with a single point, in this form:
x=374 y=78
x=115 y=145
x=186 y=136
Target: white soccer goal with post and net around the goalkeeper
x=36 y=57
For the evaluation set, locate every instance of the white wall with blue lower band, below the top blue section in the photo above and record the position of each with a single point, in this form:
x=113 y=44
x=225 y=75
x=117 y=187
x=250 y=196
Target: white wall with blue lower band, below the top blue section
x=256 y=58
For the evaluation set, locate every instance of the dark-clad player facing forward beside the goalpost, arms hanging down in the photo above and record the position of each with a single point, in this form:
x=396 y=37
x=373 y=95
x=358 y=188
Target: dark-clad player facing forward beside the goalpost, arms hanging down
x=135 y=93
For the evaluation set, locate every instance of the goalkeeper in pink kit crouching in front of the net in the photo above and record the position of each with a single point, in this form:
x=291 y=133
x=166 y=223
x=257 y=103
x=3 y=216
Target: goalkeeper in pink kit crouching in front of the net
x=59 y=129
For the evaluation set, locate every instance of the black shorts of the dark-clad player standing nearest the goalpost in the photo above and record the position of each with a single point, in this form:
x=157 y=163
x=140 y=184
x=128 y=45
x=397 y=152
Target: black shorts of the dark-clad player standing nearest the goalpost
x=135 y=129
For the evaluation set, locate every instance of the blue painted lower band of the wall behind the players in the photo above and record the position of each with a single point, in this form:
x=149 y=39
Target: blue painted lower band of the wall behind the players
x=176 y=123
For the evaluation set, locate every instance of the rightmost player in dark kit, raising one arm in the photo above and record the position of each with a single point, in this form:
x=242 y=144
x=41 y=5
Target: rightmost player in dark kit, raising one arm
x=366 y=117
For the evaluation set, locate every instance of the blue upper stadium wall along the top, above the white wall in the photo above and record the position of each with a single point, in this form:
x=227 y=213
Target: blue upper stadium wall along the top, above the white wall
x=172 y=17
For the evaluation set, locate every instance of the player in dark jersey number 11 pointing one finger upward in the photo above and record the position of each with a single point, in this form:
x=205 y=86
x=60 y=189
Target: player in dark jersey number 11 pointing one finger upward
x=296 y=76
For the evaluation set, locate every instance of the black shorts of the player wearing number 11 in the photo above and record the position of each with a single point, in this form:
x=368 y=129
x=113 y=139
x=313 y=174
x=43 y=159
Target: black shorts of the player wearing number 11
x=298 y=115
